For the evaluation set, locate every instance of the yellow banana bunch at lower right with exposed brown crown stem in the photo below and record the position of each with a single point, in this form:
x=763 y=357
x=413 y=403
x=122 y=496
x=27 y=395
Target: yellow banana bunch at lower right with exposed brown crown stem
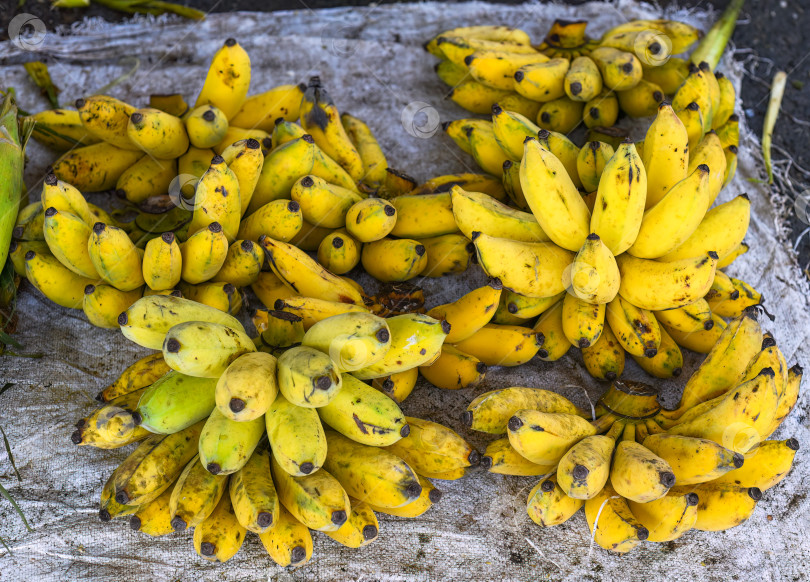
x=643 y=473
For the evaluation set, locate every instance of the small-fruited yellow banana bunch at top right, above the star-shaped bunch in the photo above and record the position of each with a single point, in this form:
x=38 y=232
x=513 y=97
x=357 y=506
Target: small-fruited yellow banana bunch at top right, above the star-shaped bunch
x=568 y=79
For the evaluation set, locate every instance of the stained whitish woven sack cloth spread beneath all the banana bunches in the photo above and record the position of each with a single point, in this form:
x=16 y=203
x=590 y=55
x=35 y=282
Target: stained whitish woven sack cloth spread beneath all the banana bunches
x=372 y=62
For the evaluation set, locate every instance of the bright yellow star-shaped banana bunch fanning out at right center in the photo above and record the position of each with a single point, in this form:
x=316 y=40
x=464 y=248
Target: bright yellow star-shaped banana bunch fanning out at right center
x=626 y=237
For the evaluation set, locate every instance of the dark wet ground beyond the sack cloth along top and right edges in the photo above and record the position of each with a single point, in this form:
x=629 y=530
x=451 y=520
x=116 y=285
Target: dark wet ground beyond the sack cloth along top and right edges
x=776 y=32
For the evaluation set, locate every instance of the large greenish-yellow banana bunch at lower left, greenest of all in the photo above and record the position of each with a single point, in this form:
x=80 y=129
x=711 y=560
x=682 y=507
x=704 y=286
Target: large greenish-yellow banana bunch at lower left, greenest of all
x=336 y=452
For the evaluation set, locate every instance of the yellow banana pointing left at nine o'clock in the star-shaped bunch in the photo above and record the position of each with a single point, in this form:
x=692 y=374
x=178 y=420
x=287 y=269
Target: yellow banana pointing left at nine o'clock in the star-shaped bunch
x=531 y=269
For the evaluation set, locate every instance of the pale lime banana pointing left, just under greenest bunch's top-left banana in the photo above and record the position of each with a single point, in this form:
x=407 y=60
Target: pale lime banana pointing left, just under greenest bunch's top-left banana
x=204 y=349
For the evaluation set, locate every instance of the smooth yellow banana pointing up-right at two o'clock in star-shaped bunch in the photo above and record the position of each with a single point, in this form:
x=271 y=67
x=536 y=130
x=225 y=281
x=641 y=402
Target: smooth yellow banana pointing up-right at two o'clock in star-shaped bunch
x=674 y=218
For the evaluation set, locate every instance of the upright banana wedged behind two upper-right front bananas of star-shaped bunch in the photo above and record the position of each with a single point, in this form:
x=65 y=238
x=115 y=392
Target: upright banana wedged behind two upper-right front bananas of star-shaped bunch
x=666 y=156
